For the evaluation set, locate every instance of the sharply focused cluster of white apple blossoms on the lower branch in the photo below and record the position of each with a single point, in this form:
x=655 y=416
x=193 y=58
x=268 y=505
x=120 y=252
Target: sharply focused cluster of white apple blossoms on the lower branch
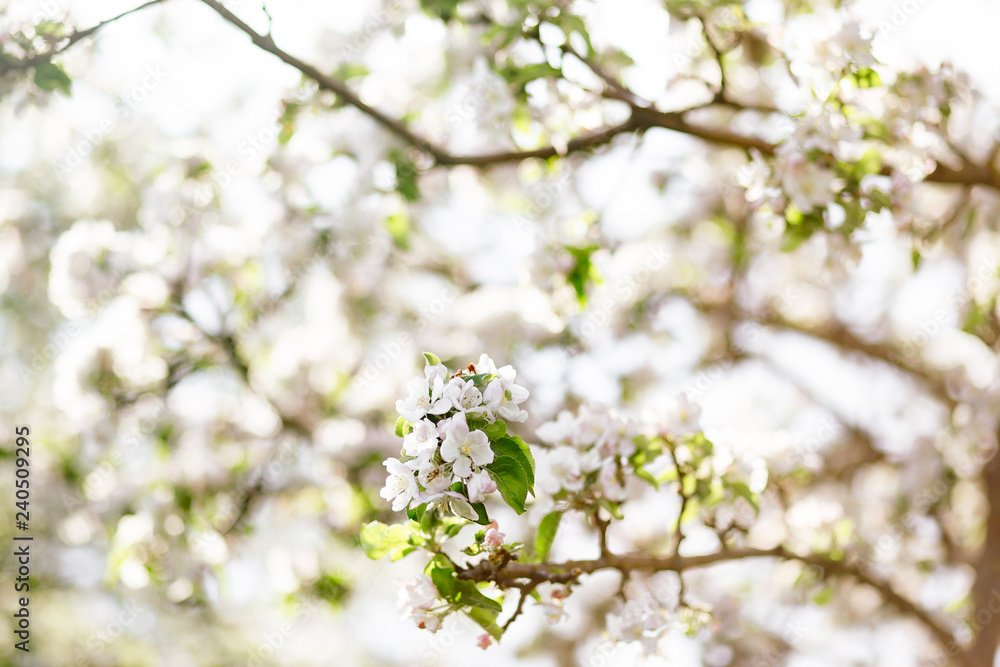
x=441 y=448
